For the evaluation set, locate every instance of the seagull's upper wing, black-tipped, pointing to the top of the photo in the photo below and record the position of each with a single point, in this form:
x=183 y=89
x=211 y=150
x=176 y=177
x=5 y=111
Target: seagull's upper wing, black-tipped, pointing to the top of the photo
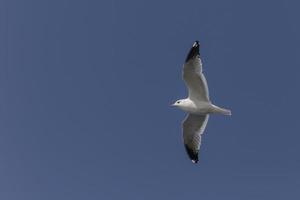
x=193 y=76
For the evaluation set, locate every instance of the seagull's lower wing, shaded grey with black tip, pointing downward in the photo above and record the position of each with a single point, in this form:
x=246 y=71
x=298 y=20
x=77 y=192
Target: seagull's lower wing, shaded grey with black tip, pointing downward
x=193 y=126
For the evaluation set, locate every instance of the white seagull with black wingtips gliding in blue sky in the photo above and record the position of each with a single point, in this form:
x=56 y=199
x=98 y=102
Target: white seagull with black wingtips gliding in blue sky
x=197 y=104
